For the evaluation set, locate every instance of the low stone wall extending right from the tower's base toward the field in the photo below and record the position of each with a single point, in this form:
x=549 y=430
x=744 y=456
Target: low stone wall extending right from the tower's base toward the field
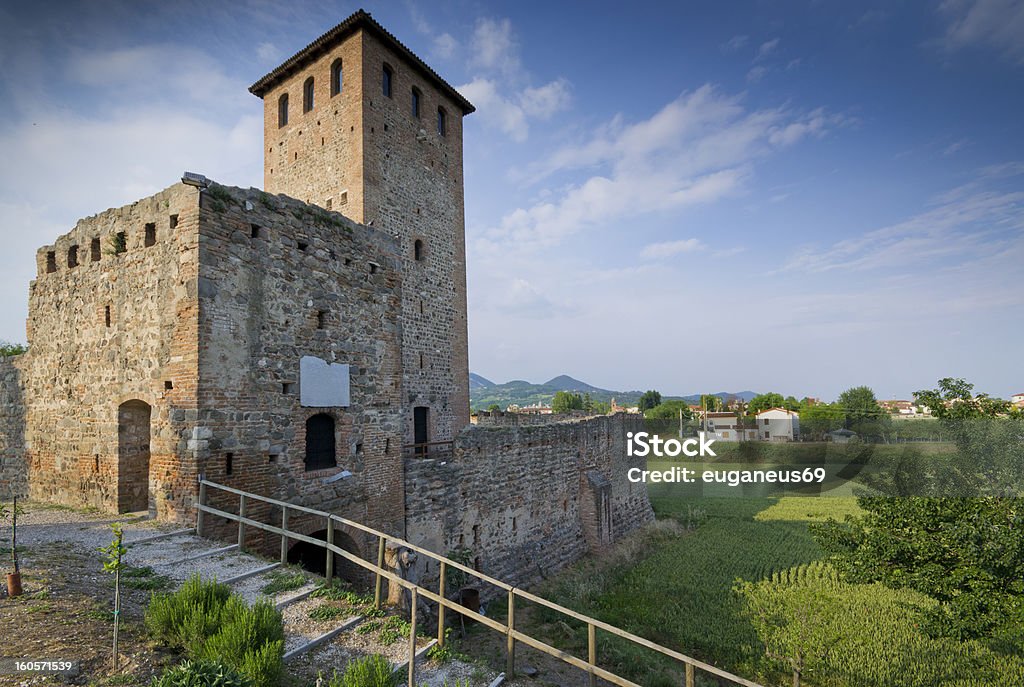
x=526 y=502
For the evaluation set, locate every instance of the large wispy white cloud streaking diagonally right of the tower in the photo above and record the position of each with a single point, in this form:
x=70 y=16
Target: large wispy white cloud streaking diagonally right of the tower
x=698 y=149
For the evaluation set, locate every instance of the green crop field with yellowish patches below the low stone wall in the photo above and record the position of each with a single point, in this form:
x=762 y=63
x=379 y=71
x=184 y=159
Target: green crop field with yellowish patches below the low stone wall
x=681 y=592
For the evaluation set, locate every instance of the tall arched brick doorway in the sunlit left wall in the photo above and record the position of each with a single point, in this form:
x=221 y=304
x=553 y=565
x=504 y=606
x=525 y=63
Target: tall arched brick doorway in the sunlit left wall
x=134 y=456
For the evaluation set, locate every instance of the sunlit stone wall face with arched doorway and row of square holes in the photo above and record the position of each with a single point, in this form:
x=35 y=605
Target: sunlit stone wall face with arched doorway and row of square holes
x=113 y=320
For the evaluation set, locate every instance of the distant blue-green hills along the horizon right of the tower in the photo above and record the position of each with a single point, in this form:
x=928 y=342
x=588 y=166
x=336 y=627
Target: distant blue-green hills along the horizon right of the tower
x=484 y=393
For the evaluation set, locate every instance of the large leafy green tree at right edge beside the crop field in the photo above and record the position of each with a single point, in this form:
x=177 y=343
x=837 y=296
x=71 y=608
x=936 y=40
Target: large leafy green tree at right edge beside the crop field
x=967 y=553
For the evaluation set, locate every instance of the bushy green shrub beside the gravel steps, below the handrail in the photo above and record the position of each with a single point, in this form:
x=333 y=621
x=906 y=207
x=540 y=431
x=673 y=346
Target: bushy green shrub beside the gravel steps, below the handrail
x=210 y=624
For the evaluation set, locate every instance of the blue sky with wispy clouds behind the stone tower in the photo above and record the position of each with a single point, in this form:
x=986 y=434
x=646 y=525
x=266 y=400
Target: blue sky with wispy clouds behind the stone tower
x=796 y=197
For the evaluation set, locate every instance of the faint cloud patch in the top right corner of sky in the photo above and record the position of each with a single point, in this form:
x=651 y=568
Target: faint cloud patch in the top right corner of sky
x=996 y=24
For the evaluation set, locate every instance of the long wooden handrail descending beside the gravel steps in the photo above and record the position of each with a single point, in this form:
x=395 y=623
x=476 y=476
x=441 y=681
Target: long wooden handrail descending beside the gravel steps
x=513 y=634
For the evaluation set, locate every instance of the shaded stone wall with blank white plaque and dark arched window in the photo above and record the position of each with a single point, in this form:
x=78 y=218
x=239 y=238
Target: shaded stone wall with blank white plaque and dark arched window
x=281 y=281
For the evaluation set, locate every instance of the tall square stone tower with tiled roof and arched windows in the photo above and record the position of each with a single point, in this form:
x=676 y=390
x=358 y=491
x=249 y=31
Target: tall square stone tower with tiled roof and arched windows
x=358 y=124
